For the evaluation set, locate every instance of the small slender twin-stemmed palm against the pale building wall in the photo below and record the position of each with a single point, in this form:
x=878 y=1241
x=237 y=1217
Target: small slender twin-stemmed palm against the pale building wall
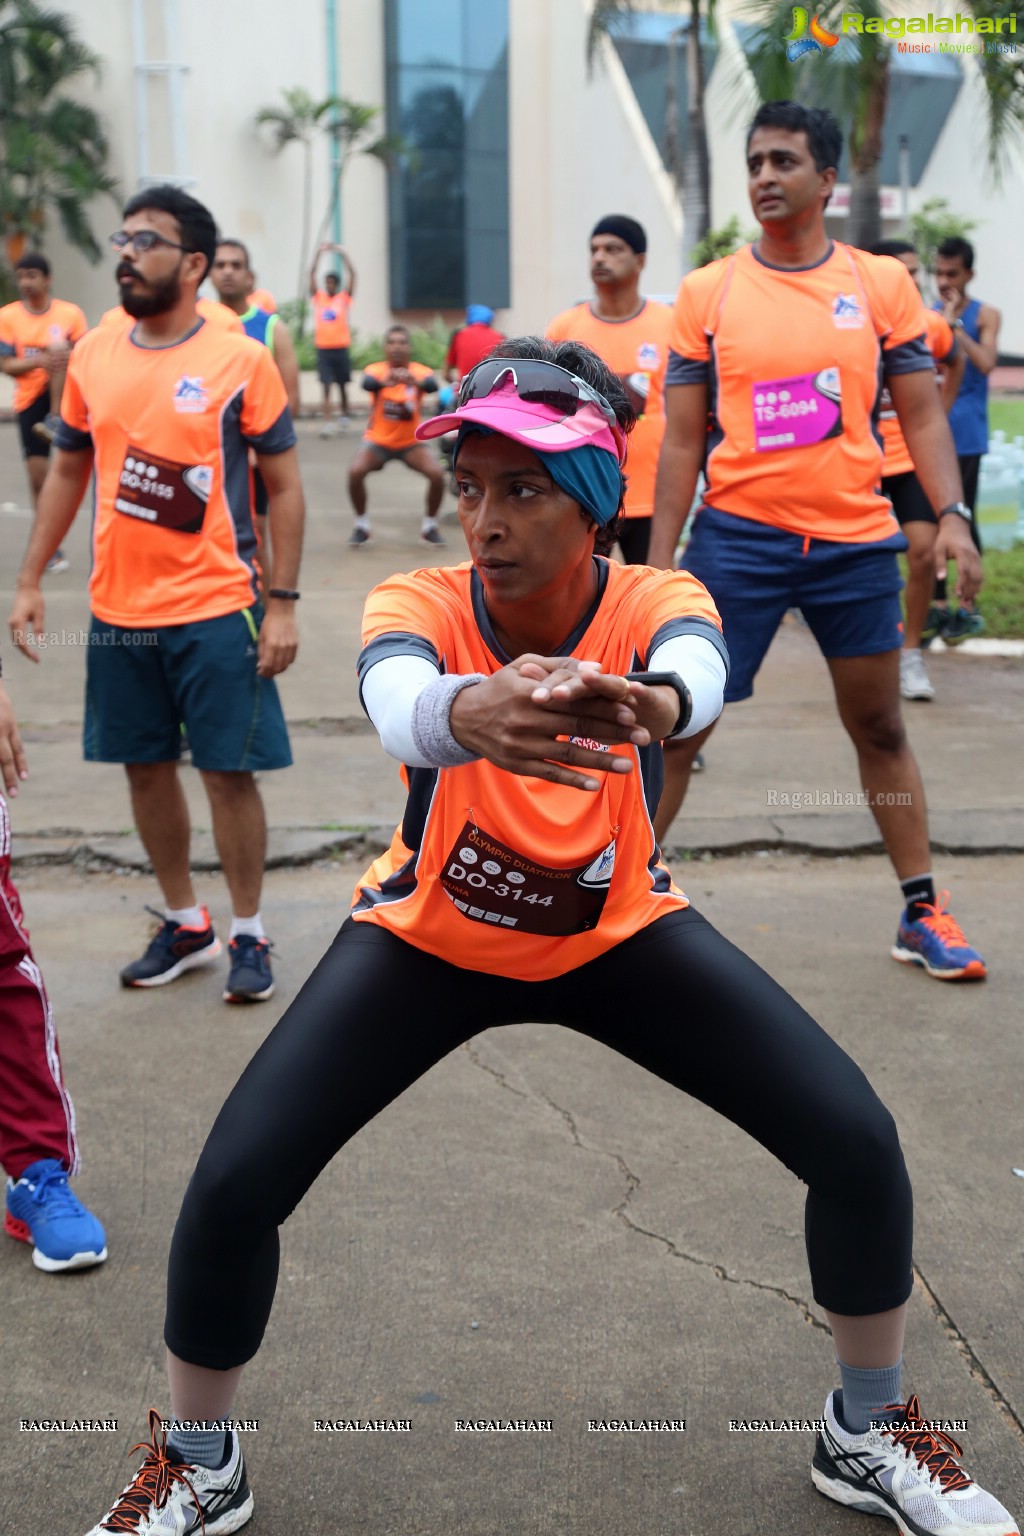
x=348 y=125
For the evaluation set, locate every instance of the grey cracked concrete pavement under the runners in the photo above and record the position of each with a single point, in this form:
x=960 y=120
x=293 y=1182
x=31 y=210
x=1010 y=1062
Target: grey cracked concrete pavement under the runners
x=538 y=1230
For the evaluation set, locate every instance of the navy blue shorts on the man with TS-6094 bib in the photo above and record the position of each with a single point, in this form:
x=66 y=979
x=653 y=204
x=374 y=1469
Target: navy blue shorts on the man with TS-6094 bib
x=850 y=594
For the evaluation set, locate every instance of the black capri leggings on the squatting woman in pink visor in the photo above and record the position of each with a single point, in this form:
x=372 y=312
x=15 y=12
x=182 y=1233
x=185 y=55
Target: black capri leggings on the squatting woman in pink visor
x=678 y=999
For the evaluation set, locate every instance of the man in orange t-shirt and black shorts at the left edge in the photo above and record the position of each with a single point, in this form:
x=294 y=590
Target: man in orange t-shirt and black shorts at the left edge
x=38 y=334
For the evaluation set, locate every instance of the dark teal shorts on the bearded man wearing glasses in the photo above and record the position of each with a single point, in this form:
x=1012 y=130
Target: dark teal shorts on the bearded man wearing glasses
x=145 y=686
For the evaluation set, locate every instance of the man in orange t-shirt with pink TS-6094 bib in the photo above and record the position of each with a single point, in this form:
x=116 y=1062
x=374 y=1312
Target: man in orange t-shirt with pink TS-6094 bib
x=773 y=388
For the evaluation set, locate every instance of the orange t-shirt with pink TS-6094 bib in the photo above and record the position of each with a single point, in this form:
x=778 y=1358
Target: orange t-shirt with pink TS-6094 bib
x=794 y=363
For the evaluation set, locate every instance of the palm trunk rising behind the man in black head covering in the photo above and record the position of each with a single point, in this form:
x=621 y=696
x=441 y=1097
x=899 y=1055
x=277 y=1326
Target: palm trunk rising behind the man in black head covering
x=689 y=161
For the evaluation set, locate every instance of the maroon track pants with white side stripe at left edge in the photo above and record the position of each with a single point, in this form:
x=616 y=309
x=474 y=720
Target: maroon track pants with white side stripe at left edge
x=38 y=1119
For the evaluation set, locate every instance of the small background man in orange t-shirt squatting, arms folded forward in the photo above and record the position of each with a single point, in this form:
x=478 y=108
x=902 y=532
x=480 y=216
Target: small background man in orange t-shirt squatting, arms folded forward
x=397 y=389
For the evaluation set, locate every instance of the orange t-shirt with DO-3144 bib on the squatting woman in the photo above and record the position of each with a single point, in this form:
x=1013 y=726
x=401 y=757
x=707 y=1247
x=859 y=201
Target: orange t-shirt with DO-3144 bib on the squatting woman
x=518 y=876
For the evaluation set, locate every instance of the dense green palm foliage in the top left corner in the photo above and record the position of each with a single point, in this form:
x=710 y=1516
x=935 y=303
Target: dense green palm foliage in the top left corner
x=53 y=150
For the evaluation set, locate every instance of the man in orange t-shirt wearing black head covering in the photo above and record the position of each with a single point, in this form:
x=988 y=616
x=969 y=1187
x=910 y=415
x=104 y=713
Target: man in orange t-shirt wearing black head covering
x=630 y=333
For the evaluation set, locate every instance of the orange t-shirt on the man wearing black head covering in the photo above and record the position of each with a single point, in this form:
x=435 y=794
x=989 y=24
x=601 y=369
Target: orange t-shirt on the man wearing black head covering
x=638 y=353
